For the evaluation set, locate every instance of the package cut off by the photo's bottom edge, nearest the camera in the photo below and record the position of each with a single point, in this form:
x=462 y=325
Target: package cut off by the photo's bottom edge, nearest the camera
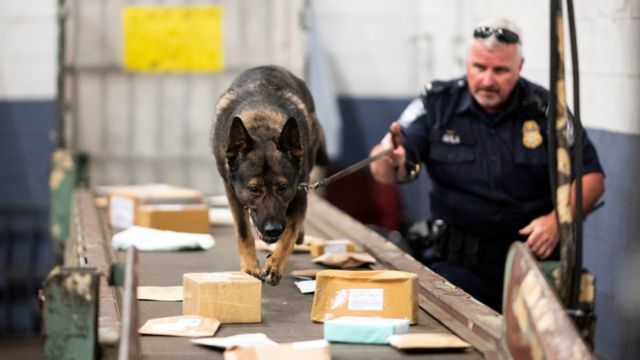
x=307 y=350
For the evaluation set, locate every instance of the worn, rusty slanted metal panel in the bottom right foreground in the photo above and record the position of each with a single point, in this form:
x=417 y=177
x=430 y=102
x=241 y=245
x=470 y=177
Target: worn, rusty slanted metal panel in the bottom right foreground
x=537 y=324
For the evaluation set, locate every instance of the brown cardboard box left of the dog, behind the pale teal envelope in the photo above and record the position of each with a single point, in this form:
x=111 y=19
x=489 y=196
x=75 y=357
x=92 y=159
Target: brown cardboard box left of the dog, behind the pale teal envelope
x=193 y=218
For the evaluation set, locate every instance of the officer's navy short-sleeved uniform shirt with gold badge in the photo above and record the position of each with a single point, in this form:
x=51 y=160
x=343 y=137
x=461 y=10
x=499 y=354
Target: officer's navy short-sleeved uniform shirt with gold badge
x=485 y=181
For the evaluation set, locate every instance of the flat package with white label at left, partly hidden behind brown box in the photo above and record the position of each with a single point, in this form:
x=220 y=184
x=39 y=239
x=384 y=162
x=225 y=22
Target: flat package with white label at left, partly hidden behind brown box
x=124 y=200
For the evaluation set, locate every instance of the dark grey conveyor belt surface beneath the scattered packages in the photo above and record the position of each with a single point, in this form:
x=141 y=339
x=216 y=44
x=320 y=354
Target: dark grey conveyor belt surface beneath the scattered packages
x=285 y=311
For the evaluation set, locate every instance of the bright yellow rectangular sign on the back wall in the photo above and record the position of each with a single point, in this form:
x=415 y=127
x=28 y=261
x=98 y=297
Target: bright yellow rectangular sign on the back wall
x=173 y=38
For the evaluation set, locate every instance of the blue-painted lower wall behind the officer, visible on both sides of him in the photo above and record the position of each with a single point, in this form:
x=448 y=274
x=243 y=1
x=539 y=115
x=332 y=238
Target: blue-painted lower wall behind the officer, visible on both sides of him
x=610 y=232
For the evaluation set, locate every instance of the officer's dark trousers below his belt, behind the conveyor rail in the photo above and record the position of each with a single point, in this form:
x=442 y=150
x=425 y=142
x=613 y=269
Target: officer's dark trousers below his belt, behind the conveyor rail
x=484 y=281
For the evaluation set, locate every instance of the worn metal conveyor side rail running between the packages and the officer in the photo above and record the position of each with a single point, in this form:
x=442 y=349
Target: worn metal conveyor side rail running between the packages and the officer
x=473 y=321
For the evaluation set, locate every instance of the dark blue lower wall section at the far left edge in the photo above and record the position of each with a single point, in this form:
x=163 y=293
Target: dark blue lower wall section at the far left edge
x=25 y=245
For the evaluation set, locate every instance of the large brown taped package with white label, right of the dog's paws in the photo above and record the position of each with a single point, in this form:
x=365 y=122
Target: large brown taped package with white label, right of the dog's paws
x=381 y=293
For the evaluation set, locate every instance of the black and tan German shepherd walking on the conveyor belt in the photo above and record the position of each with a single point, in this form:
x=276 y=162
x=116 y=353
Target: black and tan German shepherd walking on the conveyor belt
x=266 y=139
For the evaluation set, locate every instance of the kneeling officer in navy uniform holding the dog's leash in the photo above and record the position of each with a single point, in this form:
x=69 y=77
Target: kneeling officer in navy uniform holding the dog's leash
x=483 y=140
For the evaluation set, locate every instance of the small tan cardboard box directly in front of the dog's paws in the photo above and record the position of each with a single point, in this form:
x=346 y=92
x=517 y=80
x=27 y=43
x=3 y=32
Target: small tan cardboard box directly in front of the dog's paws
x=231 y=297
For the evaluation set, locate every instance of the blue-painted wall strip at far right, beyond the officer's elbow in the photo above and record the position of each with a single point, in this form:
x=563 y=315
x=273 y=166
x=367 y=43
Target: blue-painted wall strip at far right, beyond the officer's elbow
x=611 y=244
